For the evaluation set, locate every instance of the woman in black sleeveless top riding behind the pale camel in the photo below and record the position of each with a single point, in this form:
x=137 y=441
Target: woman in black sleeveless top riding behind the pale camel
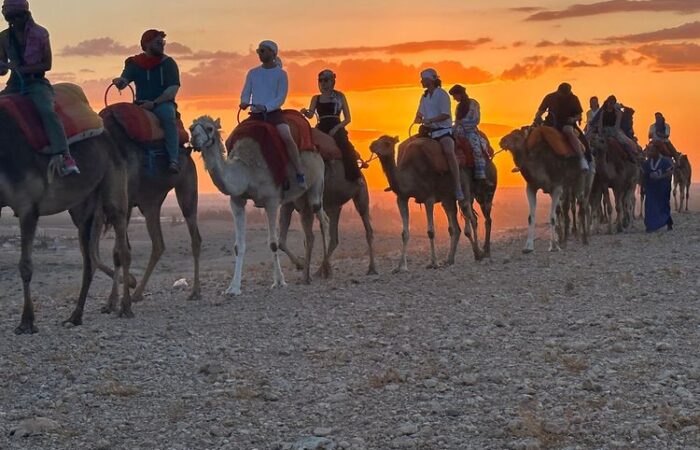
x=329 y=105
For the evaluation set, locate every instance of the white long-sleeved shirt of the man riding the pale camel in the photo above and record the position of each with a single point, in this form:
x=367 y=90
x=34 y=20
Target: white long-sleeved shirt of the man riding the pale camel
x=266 y=87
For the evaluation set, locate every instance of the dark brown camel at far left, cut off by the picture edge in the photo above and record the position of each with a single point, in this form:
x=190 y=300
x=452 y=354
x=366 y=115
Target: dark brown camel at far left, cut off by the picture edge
x=101 y=186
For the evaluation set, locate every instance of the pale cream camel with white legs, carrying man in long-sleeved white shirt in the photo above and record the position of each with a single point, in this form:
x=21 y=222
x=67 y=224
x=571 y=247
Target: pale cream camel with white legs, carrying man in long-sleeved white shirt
x=245 y=176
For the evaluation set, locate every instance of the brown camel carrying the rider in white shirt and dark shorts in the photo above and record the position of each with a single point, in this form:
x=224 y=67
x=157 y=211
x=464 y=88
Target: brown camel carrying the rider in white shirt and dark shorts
x=417 y=180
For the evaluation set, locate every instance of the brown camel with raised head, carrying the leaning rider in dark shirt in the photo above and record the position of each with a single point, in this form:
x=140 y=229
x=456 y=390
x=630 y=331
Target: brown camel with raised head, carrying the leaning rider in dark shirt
x=553 y=174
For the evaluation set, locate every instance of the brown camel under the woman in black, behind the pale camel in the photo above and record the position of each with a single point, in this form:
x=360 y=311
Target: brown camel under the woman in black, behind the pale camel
x=336 y=193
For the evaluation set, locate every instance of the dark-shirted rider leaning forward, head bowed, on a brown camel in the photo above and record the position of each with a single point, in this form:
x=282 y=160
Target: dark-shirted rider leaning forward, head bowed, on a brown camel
x=564 y=112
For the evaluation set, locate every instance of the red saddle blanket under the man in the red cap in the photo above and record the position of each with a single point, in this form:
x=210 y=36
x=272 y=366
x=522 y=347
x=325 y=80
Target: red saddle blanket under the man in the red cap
x=141 y=125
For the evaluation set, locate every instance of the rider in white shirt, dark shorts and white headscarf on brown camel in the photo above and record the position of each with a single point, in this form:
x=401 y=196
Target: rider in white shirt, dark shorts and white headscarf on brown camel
x=435 y=117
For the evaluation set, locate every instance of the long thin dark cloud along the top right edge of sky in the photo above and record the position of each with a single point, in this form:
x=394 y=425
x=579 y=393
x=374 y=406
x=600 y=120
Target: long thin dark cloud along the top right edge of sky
x=618 y=6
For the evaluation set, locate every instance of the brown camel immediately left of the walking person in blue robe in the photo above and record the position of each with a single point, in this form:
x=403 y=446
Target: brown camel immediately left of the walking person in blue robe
x=615 y=170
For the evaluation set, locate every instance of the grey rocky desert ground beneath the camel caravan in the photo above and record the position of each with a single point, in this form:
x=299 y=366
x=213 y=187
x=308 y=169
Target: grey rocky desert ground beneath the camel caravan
x=588 y=348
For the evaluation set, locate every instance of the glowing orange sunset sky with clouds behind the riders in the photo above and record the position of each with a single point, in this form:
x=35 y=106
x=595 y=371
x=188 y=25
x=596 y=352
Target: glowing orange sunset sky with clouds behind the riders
x=508 y=53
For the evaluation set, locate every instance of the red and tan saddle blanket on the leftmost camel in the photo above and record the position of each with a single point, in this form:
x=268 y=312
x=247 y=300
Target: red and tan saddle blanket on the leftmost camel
x=72 y=107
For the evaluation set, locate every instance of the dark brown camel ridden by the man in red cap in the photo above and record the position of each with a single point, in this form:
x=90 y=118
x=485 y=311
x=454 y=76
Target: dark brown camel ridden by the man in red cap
x=148 y=188
